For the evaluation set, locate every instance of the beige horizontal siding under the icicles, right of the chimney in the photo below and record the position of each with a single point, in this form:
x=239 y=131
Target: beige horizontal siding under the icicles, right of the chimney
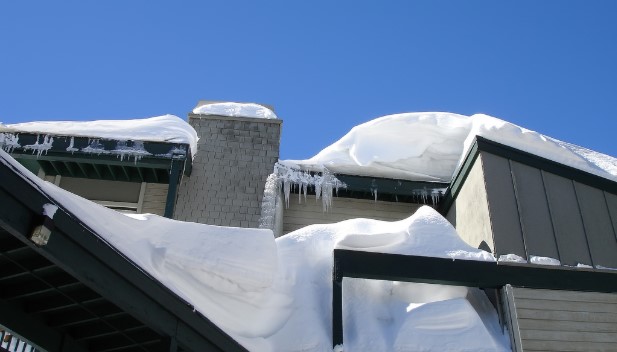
x=311 y=212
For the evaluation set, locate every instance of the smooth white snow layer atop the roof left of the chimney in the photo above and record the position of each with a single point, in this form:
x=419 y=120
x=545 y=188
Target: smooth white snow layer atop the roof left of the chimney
x=166 y=128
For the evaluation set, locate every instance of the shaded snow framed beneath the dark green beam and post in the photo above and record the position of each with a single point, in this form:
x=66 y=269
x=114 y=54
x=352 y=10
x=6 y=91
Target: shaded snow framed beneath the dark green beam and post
x=456 y=319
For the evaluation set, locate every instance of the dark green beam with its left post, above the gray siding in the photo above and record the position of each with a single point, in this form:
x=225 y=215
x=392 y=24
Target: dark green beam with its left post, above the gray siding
x=396 y=267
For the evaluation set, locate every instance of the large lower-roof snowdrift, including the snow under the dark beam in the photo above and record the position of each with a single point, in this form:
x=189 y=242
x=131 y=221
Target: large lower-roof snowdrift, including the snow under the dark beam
x=275 y=295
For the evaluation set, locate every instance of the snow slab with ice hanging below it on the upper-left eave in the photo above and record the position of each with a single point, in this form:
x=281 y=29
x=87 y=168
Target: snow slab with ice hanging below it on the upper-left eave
x=166 y=128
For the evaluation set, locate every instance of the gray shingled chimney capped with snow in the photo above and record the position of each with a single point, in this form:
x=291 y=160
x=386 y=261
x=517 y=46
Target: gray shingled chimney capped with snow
x=237 y=149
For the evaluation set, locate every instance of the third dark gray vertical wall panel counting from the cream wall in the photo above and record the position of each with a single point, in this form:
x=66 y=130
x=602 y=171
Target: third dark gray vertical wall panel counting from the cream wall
x=567 y=220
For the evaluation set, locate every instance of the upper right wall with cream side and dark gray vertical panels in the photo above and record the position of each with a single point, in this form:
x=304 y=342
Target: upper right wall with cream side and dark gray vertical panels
x=525 y=210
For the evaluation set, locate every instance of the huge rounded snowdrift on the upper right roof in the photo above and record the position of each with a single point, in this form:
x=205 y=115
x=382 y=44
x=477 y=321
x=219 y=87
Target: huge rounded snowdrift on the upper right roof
x=429 y=146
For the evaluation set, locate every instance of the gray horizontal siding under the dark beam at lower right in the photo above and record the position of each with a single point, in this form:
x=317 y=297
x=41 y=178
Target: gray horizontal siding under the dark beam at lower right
x=551 y=320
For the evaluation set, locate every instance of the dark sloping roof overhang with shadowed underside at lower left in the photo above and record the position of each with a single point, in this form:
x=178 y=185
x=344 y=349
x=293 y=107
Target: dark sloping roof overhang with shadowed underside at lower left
x=77 y=284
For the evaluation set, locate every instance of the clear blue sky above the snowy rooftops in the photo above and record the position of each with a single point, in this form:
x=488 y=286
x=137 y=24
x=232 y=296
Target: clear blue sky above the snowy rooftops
x=550 y=66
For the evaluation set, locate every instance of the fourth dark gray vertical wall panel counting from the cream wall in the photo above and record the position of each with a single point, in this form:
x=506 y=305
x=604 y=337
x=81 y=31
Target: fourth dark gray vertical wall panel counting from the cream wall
x=598 y=227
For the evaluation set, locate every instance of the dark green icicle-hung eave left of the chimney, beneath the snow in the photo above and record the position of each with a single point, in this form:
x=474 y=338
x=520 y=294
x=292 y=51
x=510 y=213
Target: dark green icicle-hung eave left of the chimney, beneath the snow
x=97 y=158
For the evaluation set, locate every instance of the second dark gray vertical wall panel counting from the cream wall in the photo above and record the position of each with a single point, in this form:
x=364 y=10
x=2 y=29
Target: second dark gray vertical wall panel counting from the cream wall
x=534 y=212
